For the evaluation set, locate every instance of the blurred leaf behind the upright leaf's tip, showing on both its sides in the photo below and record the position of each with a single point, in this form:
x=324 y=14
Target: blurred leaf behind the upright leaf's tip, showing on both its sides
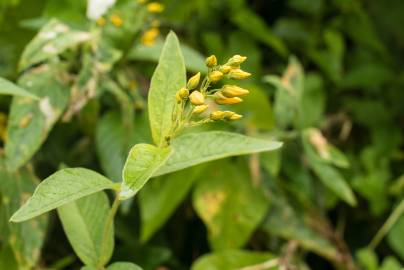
x=194 y=61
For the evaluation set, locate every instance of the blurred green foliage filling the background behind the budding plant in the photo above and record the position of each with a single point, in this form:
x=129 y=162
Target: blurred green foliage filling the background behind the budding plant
x=327 y=80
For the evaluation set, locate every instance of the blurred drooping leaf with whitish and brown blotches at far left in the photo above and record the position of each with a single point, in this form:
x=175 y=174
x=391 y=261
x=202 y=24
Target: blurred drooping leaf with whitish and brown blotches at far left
x=31 y=120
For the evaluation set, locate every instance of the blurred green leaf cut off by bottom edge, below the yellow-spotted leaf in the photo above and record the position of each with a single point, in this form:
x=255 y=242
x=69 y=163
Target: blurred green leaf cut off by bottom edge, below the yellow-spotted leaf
x=231 y=260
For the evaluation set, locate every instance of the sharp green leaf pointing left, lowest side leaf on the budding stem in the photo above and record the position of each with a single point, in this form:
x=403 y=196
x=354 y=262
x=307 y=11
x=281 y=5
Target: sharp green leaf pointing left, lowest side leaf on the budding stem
x=62 y=187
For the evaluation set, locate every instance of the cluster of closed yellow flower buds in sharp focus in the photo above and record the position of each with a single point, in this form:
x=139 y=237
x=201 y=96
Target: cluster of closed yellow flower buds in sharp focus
x=198 y=96
